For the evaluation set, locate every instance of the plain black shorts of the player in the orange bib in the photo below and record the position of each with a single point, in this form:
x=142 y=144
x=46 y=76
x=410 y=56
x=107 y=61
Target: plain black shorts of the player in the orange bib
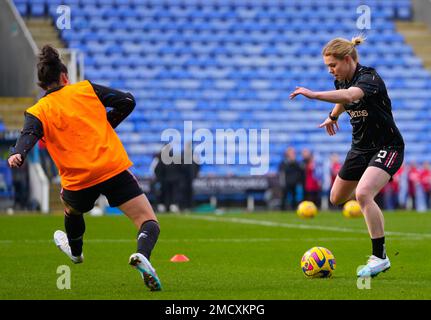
x=118 y=190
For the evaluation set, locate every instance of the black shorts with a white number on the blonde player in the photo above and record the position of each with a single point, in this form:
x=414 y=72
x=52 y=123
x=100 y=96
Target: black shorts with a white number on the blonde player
x=388 y=159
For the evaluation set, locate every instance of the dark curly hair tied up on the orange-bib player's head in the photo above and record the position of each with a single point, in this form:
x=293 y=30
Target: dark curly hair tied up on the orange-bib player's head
x=49 y=67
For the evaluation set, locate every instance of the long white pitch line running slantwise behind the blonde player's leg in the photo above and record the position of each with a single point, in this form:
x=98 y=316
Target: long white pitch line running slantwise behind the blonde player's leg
x=302 y=226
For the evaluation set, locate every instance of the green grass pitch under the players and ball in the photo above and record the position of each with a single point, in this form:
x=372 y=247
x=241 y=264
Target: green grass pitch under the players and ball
x=232 y=256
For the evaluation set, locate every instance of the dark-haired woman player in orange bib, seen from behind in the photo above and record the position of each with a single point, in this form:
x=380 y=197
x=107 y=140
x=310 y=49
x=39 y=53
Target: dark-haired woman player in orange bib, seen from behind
x=80 y=137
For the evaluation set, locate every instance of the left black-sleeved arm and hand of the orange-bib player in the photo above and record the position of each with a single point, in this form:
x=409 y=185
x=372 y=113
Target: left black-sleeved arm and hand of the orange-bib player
x=30 y=134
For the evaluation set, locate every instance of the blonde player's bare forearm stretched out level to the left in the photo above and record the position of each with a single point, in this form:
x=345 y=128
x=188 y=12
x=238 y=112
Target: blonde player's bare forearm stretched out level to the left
x=343 y=96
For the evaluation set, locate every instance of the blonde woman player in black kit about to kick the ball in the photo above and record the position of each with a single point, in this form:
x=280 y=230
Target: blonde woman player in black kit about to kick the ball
x=377 y=149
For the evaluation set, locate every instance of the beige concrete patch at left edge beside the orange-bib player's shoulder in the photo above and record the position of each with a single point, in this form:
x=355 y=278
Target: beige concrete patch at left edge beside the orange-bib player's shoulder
x=12 y=111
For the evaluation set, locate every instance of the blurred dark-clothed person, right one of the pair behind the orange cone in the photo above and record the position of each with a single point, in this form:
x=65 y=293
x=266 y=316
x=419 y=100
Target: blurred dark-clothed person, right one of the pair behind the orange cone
x=189 y=171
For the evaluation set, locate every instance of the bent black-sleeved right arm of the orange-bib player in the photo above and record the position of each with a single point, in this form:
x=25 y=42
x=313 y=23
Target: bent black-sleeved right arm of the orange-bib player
x=122 y=104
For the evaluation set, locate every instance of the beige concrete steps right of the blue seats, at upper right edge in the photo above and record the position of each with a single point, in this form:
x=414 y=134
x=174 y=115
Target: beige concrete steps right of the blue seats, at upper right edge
x=418 y=36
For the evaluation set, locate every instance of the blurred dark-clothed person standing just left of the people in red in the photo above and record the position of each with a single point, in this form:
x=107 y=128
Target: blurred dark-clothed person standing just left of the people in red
x=291 y=175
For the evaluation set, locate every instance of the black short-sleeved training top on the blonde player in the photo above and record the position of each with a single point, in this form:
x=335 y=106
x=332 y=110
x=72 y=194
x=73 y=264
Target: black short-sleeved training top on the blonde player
x=371 y=117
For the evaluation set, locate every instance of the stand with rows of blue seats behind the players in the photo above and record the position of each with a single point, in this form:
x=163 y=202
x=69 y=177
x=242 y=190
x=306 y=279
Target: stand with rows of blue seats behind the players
x=233 y=63
